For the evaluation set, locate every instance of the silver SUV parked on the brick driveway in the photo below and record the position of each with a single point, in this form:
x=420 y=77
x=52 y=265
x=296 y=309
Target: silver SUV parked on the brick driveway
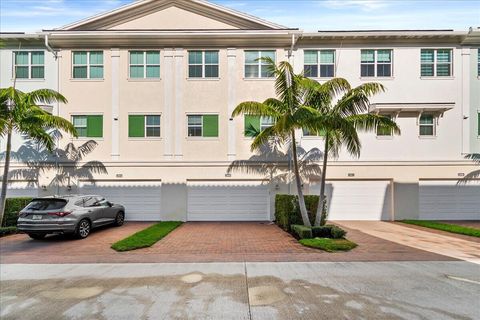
x=73 y=214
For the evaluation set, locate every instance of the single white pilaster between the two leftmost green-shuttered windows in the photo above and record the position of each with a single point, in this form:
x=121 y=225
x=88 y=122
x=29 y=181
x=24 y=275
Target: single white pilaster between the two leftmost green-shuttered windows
x=115 y=55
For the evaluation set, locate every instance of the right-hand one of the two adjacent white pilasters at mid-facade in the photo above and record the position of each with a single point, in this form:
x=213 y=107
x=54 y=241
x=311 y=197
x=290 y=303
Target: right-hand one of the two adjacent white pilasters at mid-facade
x=179 y=116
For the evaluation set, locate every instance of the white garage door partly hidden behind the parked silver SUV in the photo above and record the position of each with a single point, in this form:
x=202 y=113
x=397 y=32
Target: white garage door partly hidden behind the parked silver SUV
x=140 y=198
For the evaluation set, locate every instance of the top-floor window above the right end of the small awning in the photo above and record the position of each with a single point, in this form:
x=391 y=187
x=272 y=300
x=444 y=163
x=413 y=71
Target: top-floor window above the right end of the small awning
x=436 y=62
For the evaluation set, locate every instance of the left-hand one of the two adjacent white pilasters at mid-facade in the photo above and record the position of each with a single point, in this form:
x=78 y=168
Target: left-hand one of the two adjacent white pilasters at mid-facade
x=168 y=117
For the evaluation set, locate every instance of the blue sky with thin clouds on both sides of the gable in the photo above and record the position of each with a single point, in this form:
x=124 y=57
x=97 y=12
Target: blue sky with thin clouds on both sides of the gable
x=309 y=15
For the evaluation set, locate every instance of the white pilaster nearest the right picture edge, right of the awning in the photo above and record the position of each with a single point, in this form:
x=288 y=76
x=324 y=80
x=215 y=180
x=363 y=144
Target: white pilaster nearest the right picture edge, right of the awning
x=465 y=99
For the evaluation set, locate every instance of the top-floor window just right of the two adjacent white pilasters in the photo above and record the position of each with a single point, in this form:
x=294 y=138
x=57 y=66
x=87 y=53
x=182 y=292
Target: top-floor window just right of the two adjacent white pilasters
x=203 y=64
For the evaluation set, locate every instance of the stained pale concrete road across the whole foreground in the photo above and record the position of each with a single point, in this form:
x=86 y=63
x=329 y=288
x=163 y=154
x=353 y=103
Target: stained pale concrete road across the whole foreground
x=353 y=290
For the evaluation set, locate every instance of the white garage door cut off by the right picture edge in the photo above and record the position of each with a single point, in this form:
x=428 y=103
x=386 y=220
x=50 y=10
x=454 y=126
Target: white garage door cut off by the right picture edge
x=445 y=200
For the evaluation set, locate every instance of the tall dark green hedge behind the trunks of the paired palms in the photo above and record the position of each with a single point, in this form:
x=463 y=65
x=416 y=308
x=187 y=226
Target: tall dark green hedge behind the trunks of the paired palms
x=287 y=210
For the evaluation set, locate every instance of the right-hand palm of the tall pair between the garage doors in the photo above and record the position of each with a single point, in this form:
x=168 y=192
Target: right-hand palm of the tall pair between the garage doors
x=344 y=112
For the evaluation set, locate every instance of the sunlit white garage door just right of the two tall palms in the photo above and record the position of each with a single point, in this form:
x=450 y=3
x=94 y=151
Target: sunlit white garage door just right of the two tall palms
x=357 y=200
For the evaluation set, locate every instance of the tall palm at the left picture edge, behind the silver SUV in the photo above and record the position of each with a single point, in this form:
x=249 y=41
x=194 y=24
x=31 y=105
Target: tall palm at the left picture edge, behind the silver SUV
x=22 y=113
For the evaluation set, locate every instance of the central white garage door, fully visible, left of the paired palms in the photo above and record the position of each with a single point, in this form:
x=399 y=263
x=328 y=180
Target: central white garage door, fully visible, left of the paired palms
x=228 y=201
